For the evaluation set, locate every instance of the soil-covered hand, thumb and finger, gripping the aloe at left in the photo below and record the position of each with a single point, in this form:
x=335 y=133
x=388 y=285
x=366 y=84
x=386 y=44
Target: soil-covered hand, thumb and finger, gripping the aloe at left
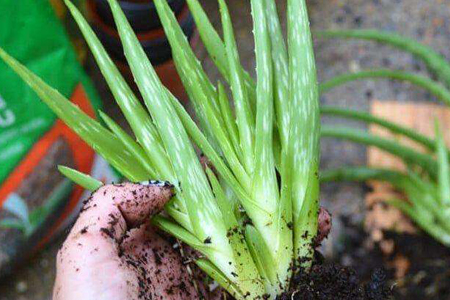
x=111 y=253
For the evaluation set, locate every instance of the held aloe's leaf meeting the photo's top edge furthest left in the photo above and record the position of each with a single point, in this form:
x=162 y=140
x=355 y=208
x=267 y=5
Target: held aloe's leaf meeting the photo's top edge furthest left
x=134 y=112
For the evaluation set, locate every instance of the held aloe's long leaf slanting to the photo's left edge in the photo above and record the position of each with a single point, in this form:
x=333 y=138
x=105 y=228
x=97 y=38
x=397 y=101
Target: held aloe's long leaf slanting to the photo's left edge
x=102 y=140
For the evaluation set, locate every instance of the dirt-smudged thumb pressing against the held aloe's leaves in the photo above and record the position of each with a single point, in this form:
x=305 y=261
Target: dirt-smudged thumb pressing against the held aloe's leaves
x=88 y=264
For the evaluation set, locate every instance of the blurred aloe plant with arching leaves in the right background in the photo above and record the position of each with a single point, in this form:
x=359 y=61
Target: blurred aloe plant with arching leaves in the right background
x=427 y=182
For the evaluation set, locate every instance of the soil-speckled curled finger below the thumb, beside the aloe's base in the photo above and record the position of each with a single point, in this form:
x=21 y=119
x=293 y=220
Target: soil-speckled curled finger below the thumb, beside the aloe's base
x=162 y=274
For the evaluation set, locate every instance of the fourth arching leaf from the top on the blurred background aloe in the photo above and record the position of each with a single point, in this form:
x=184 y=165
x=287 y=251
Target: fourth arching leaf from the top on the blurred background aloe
x=406 y=153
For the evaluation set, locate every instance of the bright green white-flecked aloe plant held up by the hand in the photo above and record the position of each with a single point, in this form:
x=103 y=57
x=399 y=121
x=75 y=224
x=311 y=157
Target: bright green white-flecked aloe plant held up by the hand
x=251 y=228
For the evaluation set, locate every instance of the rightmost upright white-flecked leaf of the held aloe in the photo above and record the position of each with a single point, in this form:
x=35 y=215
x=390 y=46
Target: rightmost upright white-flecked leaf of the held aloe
x=305 y=125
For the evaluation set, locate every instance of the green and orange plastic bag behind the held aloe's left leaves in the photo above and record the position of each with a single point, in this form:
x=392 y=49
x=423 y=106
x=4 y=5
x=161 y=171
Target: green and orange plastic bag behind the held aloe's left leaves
x=35 y=200
